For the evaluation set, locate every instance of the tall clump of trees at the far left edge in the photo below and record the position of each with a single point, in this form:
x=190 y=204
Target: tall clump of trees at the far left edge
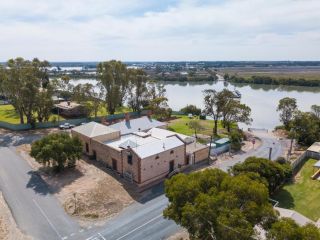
x=25 y=83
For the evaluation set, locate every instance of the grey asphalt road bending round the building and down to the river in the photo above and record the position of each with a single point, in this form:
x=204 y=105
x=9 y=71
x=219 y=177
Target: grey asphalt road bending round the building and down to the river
x=39 y=214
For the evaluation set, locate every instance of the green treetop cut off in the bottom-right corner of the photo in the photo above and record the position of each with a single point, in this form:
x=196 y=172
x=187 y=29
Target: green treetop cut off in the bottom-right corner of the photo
x=287 y=229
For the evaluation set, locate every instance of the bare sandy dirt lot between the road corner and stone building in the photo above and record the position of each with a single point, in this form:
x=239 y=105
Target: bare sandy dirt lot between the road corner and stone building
x=87 y=192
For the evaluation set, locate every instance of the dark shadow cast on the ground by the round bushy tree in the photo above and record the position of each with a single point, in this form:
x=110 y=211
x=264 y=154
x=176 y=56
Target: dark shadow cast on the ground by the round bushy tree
x=54 y=181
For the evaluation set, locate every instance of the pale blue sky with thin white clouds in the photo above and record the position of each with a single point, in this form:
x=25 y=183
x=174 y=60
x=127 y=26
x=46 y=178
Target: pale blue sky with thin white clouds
x=160 y=30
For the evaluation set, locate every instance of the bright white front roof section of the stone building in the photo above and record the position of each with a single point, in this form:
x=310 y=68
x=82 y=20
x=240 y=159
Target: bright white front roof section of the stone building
x=145 y=146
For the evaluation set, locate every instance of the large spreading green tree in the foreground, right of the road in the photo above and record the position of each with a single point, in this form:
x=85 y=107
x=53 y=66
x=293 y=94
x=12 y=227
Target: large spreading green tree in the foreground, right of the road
x=214 y=205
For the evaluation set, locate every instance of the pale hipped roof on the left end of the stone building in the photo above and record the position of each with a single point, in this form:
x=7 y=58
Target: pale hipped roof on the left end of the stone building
x=93 y=129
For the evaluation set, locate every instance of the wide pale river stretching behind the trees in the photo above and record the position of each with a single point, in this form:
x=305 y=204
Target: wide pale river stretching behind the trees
x=262 y=99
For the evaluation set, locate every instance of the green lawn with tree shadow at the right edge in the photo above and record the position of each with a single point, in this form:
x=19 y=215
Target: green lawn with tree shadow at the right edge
x=303 y=195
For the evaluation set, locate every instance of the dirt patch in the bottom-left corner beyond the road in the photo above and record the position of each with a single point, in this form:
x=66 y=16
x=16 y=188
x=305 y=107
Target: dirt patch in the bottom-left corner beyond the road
x=8 y=227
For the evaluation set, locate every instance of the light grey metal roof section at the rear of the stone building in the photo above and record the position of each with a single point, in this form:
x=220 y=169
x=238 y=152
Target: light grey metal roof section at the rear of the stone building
x=136 y=125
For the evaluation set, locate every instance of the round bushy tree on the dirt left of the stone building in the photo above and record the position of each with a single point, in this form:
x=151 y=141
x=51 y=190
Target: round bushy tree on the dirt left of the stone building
x=57 y=150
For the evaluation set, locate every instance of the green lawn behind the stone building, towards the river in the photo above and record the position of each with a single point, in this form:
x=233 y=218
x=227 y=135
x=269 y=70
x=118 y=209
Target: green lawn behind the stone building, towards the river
x=180 y=125
